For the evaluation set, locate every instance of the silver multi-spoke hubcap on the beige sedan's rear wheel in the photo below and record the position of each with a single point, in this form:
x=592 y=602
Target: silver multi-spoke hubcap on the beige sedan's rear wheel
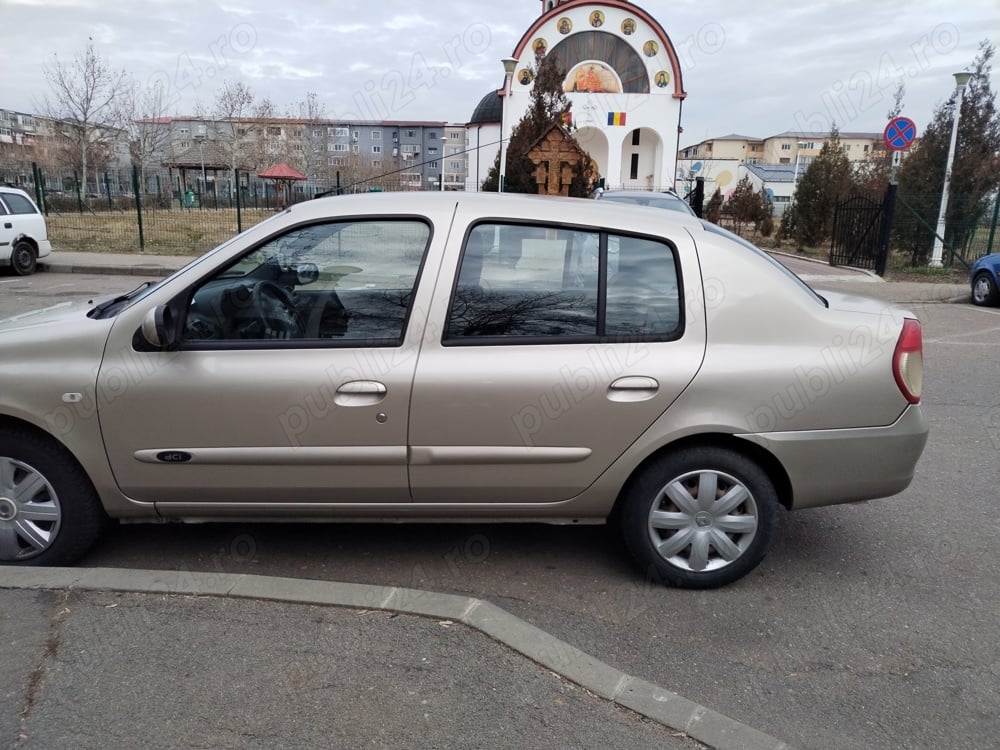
x=703 y=520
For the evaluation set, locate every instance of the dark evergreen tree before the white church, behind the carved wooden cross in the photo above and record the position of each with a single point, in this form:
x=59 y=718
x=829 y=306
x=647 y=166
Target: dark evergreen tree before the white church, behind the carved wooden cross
x=549 y=106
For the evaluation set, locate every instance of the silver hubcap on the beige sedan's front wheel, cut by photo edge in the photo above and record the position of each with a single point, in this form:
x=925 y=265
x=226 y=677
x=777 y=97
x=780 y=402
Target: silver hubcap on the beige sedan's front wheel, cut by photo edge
x=29 y=511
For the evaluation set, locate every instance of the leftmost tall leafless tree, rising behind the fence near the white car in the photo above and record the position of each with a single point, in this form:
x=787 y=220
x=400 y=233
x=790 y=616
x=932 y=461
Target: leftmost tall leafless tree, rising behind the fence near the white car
x=83 y=105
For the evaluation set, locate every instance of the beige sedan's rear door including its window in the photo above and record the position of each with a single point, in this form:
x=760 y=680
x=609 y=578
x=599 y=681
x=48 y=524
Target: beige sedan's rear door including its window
x=555 y=348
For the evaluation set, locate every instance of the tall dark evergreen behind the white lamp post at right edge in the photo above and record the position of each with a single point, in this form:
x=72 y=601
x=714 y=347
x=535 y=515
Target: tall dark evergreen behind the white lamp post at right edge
x=974 y=171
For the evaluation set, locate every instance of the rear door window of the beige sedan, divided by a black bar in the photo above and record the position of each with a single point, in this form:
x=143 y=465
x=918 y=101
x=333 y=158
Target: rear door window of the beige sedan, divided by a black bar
x=539 y=284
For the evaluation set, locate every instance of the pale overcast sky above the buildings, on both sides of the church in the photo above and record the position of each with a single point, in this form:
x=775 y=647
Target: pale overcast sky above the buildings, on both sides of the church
x=755 y=68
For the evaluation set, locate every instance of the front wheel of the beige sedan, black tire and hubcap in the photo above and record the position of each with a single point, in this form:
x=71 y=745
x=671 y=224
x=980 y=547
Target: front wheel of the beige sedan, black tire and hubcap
x=49 y=511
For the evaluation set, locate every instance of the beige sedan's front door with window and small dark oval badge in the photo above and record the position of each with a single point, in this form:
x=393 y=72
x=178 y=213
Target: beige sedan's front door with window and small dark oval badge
x=292 y=380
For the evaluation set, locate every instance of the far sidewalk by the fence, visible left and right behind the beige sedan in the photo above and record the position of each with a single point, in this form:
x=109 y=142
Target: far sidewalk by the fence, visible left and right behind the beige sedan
x=815 y=272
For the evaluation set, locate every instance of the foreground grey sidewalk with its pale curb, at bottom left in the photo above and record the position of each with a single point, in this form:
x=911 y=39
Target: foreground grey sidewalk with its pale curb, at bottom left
x=98 y=658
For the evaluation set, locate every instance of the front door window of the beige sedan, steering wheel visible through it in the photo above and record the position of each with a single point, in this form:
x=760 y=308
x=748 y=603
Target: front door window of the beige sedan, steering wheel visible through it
x=336 y=283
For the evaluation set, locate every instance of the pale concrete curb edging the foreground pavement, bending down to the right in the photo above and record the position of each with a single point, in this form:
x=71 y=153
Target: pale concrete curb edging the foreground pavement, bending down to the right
x=649 y=700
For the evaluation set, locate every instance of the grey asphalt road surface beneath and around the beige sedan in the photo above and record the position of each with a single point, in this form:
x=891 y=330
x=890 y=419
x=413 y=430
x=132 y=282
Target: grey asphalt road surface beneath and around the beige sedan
x=874 y=625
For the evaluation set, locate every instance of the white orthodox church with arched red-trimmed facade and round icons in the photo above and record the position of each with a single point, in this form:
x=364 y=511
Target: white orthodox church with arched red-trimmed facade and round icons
x=623 y=79
